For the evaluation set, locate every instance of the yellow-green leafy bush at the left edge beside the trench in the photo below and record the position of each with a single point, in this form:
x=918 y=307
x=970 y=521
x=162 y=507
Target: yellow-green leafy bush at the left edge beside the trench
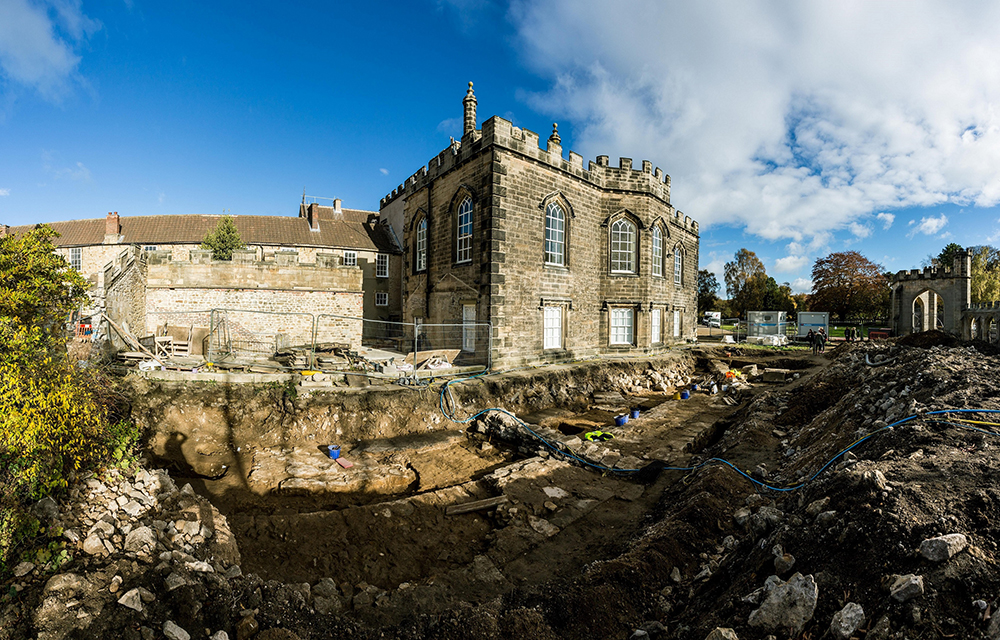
x=55 y=415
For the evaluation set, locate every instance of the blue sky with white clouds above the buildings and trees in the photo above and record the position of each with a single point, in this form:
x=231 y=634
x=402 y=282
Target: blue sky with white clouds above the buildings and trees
x=791 y=129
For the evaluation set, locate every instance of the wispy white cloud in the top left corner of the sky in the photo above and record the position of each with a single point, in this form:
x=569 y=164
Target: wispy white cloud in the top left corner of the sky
x=38 y=42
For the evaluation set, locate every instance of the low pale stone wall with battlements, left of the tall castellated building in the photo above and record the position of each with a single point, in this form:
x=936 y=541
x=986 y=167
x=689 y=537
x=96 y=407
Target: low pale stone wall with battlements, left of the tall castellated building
x=250 y=305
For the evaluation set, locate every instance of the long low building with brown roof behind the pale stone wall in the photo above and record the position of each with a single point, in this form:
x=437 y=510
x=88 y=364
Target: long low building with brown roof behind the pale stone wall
x=355 y=237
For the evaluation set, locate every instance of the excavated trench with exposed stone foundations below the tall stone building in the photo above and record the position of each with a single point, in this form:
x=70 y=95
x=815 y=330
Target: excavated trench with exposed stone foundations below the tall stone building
x=384 y=524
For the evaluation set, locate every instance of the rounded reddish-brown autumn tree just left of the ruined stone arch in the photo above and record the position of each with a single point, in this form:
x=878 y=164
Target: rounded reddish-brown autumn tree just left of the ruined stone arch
x=849 y=285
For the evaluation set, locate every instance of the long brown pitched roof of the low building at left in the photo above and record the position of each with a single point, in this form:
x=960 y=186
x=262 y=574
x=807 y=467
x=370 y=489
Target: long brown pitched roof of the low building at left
x=352 y=230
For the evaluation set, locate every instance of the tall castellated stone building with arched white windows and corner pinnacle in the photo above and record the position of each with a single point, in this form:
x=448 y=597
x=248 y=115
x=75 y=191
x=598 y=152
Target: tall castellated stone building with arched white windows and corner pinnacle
x=563 y=260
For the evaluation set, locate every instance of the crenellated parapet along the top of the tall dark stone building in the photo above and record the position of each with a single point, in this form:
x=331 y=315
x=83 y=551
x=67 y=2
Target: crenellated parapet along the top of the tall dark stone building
x=502 y=134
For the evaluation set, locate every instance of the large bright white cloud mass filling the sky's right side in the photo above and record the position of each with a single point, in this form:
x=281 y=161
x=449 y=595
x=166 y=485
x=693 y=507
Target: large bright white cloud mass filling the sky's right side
x=790 y=119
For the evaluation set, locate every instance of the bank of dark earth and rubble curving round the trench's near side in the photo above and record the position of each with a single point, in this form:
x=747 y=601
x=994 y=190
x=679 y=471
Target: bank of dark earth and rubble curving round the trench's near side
x=894 y=538
